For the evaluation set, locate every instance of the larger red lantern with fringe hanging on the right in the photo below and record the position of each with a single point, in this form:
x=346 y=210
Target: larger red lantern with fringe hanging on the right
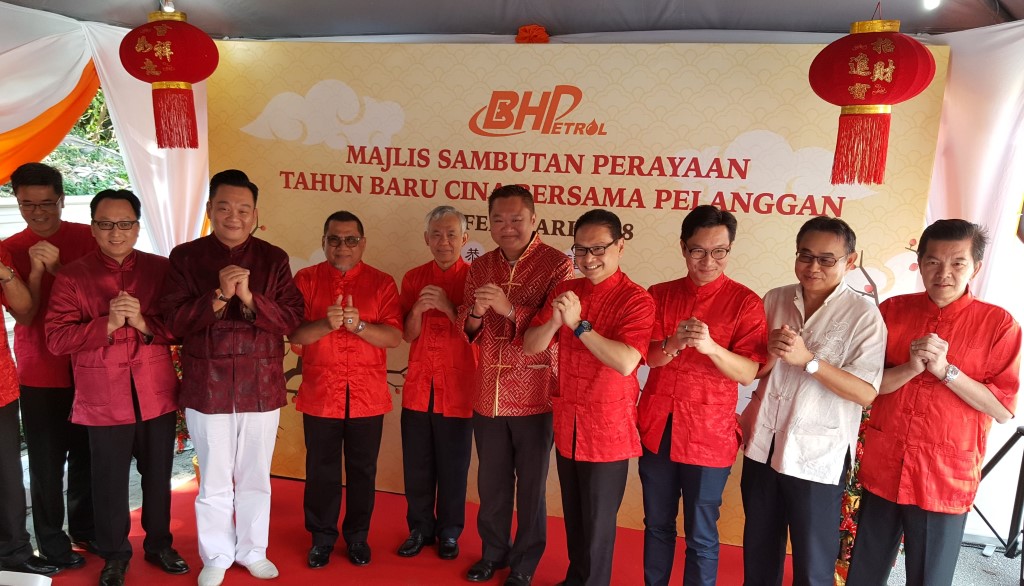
x=866 y=73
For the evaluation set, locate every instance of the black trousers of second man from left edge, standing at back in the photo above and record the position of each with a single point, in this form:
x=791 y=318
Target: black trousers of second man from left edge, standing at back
x=55 y=441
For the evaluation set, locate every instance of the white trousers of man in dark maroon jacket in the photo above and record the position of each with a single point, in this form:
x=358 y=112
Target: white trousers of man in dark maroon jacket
x=233 y=510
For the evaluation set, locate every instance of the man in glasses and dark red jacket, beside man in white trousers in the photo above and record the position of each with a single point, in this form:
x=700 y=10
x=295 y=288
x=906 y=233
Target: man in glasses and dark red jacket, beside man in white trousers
x=104 y=314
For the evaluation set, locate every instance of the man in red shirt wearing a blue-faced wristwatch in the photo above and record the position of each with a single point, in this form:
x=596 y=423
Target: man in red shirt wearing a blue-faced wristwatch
x=603 y=323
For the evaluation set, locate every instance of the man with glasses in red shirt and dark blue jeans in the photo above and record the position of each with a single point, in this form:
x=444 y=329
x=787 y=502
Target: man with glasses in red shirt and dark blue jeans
x=710 y=334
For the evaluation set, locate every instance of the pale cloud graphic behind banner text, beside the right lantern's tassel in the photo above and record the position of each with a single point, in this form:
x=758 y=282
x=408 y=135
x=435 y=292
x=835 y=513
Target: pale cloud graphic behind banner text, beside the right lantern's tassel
x=776 y=168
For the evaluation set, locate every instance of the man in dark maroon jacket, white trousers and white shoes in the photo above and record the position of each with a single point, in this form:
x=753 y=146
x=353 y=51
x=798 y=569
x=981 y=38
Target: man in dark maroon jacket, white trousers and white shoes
x=231 y=299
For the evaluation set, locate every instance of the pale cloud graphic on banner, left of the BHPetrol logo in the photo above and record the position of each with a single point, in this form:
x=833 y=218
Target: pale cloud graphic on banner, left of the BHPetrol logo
x=331 y=114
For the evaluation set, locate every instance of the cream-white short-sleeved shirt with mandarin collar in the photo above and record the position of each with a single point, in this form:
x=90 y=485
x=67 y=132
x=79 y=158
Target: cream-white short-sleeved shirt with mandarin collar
x=815 y=429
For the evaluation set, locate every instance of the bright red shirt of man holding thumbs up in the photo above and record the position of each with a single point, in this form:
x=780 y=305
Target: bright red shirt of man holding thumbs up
x=343 y=364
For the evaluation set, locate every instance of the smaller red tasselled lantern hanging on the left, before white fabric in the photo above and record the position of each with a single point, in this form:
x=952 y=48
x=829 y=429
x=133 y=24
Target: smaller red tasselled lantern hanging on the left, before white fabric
x=172 y=55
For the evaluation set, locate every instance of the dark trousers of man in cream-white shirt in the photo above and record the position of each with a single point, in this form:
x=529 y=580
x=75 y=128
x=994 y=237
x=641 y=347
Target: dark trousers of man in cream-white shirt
x=775 y=504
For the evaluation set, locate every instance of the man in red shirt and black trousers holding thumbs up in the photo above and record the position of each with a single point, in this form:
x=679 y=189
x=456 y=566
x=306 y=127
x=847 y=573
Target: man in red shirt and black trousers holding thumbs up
x=352 y=318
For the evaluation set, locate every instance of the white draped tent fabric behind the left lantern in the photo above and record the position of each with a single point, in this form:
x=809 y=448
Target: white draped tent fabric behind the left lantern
x=41 y=59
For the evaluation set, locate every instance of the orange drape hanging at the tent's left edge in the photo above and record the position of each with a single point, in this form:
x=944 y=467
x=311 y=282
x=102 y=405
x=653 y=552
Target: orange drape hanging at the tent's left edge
x=34 y=141
